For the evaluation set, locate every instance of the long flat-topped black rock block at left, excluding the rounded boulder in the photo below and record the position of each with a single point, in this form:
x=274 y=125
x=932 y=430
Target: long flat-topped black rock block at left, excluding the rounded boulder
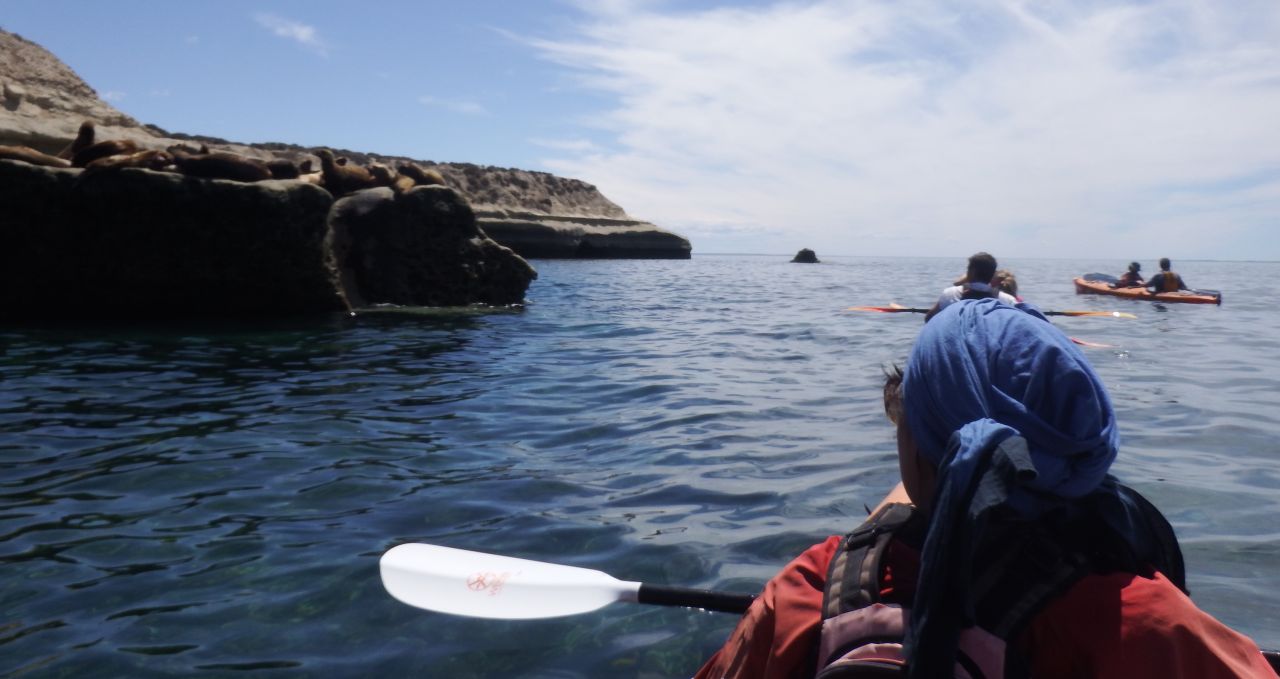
x=143 y=244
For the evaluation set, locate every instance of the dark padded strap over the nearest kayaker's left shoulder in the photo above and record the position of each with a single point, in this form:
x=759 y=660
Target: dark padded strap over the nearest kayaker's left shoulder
x=854 y=575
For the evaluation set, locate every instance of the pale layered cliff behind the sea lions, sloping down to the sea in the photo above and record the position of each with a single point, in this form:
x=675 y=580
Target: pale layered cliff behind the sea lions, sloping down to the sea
x=536 y=213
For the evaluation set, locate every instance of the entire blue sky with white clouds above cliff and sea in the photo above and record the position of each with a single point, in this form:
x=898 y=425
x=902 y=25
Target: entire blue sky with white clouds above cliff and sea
x=1040 y=129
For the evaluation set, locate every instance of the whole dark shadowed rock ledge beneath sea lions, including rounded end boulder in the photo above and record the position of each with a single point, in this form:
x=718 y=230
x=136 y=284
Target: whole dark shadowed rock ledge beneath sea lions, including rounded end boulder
x=144 y=244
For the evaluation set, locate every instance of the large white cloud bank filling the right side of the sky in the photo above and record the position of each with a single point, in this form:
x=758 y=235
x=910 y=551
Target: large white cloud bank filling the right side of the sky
x=931 y=127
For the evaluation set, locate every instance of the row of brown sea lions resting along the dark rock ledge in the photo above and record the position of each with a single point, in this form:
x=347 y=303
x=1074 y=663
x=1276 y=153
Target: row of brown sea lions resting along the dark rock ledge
x=340 y=176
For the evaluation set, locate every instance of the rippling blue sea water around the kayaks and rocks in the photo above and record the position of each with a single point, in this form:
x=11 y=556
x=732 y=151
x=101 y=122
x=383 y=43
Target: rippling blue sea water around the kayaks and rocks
x=212 y=499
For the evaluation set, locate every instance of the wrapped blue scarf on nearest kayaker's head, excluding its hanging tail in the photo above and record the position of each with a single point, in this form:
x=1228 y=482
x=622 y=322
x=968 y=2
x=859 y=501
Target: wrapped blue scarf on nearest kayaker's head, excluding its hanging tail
x=982 y=368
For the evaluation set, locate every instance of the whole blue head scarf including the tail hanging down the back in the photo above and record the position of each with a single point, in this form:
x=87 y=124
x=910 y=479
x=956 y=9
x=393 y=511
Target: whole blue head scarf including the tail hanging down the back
x=1013 y=417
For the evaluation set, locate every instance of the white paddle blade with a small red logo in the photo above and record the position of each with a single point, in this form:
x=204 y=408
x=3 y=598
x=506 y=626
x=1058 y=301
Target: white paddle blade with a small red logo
x=491 y=586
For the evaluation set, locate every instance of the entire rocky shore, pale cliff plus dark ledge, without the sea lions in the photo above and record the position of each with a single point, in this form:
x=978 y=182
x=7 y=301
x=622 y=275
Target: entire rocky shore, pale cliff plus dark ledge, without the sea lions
x=140 y=244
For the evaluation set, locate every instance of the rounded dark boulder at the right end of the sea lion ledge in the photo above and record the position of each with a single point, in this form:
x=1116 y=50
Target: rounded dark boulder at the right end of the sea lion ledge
x=423 y=249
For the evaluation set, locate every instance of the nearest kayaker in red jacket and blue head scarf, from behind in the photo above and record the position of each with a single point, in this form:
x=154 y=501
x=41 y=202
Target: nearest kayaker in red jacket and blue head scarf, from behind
x=1021 y=555
